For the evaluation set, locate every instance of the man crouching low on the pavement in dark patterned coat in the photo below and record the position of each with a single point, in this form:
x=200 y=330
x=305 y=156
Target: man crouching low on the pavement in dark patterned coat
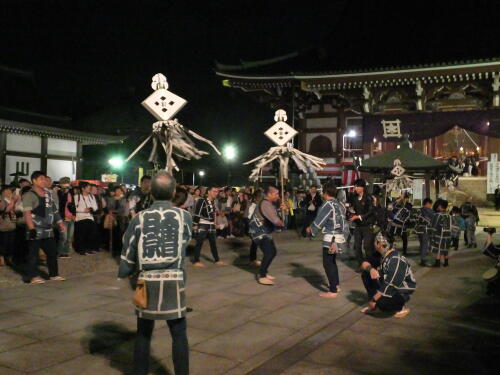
x=388 y=280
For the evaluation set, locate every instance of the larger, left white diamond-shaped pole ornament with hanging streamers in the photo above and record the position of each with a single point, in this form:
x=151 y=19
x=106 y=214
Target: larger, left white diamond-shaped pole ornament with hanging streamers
x=169 y=134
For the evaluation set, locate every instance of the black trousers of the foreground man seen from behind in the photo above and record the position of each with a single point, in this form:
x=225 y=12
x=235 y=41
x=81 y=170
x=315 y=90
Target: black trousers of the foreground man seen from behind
x=180 y=346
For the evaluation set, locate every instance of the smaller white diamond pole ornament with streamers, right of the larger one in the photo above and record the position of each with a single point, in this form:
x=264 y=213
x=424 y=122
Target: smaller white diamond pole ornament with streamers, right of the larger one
x=281 y=134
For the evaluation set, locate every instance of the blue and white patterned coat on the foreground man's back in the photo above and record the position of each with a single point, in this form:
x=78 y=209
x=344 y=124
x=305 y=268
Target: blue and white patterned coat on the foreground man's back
x=155 y=245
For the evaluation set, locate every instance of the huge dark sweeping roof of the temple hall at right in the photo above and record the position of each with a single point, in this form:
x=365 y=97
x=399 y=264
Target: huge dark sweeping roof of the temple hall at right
x=371 y=39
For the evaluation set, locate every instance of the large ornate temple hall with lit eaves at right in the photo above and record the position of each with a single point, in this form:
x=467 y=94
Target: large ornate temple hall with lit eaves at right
x=448 y=109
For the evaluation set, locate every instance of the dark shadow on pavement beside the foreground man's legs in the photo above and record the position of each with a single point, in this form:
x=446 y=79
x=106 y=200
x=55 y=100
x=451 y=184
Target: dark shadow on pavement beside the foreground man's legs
x=116 y=343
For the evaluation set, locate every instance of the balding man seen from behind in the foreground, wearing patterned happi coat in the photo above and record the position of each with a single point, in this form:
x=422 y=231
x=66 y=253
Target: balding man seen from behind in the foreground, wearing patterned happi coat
x=155 y=246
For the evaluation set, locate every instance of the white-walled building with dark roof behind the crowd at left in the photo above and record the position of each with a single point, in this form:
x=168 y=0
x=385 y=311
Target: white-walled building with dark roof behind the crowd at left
x=33 y=140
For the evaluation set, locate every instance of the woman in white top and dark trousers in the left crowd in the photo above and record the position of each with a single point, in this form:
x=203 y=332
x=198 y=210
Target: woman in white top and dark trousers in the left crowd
x=86 y=231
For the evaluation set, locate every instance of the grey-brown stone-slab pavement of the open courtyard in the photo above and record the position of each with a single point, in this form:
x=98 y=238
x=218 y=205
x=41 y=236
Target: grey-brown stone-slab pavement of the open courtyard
x=86 y=325
